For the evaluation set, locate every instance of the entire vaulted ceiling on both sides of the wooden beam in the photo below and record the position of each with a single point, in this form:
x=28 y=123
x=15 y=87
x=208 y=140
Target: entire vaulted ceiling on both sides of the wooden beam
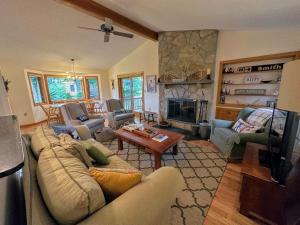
x=46 y=31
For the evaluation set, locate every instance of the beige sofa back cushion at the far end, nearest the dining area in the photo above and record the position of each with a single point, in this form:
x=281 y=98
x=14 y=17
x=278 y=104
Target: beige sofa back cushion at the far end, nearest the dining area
x=43 y=137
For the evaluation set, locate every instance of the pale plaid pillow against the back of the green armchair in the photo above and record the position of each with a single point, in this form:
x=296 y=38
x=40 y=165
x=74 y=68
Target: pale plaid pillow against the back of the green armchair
x=260 y=117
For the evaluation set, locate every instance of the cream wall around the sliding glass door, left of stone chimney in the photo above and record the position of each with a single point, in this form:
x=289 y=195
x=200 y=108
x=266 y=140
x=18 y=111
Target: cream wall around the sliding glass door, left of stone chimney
x=143 y=59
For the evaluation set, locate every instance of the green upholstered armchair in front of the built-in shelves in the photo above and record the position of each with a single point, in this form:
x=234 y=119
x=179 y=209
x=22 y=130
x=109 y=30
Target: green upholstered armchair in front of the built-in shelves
x=231 y=143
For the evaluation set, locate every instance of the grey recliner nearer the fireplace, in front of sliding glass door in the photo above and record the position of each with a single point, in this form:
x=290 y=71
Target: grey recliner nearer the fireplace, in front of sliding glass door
x=117 y=116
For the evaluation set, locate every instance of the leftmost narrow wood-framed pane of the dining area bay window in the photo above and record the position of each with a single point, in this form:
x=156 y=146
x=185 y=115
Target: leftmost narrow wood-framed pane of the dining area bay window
x=37 y=88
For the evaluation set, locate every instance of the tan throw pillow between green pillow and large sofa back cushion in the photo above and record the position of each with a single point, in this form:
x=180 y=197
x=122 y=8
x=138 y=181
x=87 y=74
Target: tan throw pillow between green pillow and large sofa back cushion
x=75 y=148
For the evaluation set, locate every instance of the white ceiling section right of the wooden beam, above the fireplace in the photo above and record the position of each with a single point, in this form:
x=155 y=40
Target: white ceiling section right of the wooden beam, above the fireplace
x=168 y=15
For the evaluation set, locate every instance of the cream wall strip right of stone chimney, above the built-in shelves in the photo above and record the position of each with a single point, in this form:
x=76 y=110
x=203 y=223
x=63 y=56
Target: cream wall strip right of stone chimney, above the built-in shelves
x=241 y=44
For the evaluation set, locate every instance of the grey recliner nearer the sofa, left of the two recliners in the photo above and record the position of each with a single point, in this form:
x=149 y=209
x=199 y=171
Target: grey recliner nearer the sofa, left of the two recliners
x=72 y=111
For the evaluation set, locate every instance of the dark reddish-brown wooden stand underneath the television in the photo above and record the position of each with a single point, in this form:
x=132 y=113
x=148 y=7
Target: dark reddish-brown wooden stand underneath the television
x=260 y=197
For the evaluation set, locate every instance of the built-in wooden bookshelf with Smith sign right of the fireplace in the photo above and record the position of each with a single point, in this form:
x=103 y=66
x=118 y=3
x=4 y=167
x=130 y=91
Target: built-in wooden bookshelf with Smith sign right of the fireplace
x=252 y=82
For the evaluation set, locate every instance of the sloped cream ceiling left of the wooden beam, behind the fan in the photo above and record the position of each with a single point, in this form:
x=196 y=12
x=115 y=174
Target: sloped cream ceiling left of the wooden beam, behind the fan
x=46 y=32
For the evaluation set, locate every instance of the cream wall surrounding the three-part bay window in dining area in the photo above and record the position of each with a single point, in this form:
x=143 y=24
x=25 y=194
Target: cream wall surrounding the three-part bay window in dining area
x=19 y=91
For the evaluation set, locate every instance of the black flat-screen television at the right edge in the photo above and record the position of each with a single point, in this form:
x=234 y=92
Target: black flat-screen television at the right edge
x=283 y=153
